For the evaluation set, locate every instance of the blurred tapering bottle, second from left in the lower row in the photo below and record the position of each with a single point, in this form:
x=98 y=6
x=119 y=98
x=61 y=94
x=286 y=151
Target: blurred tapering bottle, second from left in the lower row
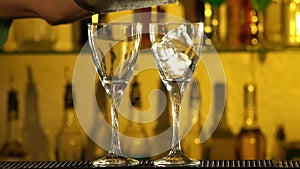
x=34 y=136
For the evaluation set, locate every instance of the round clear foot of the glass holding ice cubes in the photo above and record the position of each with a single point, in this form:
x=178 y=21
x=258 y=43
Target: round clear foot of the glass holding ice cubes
x=175 y=160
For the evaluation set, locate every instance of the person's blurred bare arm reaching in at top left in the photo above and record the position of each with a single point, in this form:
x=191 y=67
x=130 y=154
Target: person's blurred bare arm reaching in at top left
x=53 y=11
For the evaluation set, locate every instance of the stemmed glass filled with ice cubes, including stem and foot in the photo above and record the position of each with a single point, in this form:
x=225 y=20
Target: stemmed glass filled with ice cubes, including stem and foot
x=176 y=48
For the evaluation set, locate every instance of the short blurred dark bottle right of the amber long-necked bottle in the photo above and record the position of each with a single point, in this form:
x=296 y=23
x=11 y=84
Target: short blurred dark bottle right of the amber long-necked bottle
x=279 y=148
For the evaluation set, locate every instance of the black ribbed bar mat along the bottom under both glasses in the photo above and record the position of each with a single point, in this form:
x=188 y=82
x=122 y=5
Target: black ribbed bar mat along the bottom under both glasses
x=149 y=164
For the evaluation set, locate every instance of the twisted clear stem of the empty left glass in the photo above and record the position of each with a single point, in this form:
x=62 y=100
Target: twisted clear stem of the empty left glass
x=115 y=142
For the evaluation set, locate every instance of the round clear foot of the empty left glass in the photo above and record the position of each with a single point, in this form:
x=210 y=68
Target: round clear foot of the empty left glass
x=113 y=160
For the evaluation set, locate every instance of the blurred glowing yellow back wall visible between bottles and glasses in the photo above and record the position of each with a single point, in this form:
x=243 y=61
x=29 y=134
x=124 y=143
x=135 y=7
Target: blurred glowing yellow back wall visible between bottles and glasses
x=275 y=74
